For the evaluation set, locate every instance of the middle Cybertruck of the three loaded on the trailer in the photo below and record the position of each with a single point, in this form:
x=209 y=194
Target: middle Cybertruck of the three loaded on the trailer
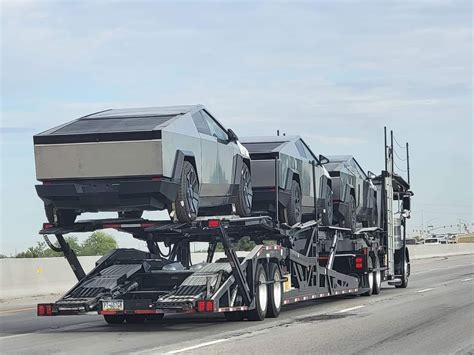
x=298 y=170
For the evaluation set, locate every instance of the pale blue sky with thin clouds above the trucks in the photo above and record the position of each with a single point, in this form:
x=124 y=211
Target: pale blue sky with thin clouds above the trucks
x=334 y=72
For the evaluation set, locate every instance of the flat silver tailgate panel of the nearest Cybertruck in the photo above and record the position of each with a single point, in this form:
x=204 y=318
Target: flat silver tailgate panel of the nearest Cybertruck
x=98 y=159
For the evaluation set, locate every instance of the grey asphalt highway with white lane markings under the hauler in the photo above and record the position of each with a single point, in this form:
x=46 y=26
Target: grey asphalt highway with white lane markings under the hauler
x=434 y=315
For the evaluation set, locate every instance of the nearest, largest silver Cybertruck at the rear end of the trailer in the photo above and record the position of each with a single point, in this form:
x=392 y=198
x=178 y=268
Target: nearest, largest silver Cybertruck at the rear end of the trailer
x=130 y=160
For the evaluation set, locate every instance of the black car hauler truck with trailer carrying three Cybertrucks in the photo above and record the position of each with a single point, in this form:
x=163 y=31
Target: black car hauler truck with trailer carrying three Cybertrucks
x=289 y=264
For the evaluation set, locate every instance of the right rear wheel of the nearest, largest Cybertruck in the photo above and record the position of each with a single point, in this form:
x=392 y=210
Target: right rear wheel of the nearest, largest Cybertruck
x=187 y=199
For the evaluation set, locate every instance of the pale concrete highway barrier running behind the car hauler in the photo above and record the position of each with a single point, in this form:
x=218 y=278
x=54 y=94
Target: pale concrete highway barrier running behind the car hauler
x=33 y=277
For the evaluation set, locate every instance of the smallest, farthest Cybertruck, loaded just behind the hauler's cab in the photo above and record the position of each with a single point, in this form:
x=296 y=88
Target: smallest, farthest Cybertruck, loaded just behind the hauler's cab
x=355 y=196
